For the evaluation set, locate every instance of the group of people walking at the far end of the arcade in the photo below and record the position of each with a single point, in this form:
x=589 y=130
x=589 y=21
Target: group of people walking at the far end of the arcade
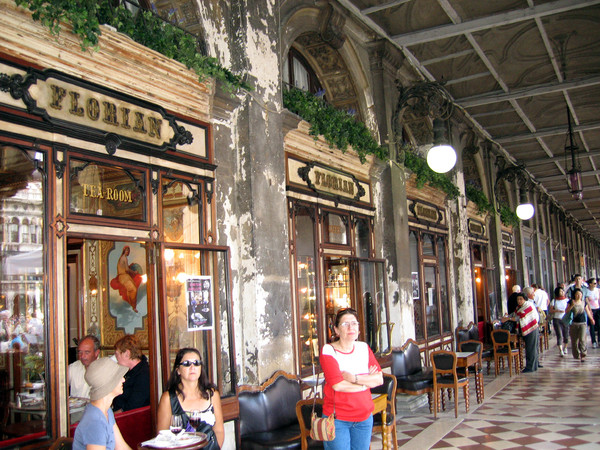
x=571 y=311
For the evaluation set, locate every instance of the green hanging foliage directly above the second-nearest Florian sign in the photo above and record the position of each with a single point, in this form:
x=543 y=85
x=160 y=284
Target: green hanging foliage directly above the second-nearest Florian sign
x=339 y=128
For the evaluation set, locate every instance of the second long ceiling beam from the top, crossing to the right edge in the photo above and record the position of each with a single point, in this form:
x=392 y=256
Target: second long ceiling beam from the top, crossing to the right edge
x=531 y=91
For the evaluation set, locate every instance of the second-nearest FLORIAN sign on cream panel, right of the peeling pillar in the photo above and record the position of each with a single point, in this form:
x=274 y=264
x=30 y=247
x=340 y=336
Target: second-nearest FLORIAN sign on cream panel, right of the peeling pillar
x=328 y=181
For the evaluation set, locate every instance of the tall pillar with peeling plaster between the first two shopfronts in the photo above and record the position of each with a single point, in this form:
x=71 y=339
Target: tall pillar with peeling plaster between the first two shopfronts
x=250 y=188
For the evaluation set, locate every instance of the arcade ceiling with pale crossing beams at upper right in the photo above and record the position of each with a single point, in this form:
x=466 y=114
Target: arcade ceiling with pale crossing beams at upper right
x=514 y=67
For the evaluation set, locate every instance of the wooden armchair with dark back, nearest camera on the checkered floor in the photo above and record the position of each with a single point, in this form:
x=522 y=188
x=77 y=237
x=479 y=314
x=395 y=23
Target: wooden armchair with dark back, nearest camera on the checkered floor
x=445 y=376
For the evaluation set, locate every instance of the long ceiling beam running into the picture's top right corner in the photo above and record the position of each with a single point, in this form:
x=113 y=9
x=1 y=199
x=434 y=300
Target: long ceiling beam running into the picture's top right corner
x=495 y=20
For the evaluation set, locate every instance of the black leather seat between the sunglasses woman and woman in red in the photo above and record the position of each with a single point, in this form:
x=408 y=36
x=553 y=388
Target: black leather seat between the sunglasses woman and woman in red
x=268 y=413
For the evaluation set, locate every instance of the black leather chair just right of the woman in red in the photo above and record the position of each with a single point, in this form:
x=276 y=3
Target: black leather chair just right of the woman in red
x=411 y=377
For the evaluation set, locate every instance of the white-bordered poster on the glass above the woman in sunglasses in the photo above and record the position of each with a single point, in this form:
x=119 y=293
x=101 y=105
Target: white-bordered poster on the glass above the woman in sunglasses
x=198 y=292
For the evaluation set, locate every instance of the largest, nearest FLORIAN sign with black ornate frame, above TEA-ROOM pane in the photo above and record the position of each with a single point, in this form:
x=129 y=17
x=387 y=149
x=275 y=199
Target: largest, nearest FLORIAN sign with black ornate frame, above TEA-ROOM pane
x=95 y=113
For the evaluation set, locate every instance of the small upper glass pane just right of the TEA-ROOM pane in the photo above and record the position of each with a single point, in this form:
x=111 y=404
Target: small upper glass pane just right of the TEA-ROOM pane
x=180 y=212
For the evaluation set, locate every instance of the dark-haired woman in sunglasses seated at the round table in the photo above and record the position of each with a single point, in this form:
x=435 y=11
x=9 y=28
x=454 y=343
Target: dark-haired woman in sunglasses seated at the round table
x=190 y=393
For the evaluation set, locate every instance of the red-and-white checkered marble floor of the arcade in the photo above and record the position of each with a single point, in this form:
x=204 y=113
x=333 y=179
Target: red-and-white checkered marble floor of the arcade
x=556 y=407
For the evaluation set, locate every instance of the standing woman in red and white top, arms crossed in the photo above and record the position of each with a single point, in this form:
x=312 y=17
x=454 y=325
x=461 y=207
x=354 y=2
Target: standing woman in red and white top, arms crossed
x=350 y=370
